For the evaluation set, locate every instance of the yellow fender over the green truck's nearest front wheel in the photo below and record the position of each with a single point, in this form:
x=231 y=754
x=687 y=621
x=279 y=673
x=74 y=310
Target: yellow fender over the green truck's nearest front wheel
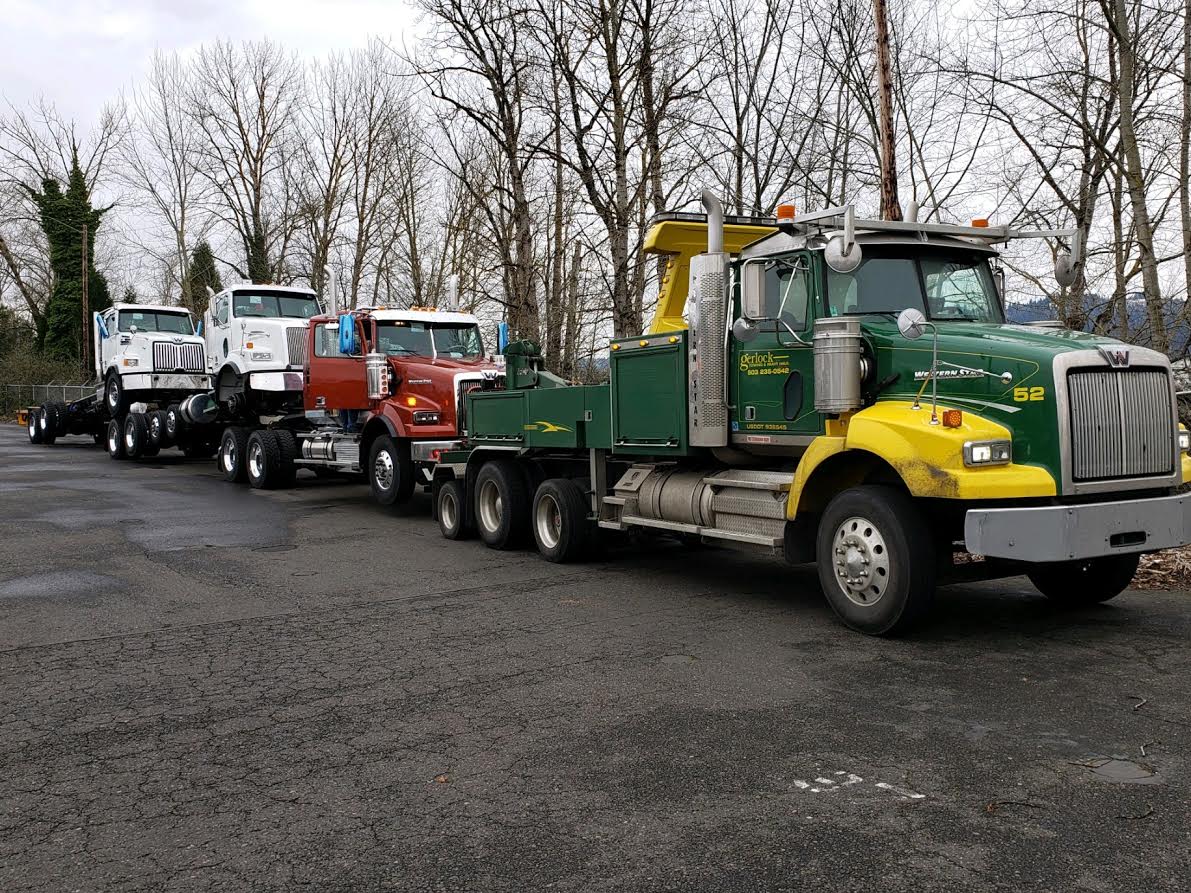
x=930 y=459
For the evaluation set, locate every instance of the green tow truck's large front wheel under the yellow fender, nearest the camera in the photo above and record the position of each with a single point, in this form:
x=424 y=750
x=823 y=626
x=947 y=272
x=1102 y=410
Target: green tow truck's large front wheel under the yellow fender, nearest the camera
x=876 y=560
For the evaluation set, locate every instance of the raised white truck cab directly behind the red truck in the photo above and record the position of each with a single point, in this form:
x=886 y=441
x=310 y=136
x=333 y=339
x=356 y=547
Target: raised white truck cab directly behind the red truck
x=257 y=348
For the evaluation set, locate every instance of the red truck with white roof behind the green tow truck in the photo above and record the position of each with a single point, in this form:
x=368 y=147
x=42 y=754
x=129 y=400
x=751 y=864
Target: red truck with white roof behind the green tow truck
x=382 y=397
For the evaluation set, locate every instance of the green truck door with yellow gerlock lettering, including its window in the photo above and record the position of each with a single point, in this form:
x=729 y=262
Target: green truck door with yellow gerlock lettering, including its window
x=774 y=374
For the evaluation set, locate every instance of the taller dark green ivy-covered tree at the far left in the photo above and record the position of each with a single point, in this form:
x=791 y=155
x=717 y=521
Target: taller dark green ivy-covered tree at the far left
x=63 y=217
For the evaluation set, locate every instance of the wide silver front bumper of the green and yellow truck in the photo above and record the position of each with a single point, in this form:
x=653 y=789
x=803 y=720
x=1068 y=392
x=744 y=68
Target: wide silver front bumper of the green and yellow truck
x=1080 y=532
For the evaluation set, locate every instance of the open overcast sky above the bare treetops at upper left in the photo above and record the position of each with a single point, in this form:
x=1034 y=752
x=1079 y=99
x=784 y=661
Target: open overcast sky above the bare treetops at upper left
x=80 y=54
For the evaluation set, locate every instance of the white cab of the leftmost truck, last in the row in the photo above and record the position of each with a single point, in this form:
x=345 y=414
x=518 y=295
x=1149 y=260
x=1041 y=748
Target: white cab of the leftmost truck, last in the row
x=147 y=353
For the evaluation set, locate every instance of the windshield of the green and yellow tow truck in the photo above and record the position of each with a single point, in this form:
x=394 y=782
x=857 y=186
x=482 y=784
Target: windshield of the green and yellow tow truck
x=944 y=285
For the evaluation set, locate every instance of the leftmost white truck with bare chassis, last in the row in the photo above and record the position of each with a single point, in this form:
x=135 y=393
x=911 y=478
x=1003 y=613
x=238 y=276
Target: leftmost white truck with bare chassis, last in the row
x=148 y=360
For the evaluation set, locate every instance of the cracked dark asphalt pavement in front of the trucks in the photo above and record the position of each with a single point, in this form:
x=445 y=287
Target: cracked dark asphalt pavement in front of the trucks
x=209 y=688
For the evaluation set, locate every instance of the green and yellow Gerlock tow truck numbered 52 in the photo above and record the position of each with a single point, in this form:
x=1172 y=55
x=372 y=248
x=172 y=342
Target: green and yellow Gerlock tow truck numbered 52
x=844 y=392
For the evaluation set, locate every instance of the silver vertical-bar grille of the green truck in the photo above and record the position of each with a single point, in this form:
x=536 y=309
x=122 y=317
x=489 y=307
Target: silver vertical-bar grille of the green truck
x=1121 y=424
